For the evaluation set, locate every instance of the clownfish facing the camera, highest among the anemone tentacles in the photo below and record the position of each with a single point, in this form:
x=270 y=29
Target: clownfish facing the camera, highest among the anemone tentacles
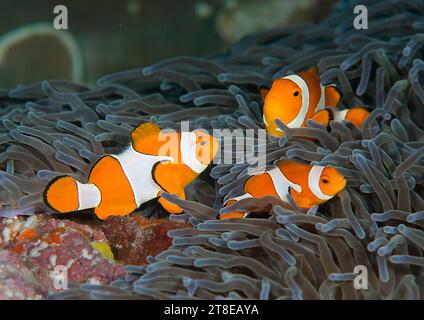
x=294 y=99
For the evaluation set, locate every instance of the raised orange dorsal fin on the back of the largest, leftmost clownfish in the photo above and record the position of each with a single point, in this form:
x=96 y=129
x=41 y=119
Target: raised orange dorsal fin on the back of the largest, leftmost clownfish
x=145 y=138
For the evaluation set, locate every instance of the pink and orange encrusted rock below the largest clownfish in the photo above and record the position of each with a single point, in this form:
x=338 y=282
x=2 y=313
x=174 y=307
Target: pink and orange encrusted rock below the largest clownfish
x=54 y=252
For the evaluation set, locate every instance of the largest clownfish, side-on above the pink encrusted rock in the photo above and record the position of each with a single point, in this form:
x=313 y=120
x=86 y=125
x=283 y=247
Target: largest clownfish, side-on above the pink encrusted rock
x=155 y=162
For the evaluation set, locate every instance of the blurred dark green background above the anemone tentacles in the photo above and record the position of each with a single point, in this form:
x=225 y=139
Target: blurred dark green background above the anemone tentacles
x=112 y=35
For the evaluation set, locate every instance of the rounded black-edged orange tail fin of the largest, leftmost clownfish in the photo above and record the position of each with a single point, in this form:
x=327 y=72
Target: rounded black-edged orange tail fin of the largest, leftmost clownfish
x=61 y=194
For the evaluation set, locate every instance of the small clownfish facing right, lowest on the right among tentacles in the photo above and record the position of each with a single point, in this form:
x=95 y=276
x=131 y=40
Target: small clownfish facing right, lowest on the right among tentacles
x=309 y=185
